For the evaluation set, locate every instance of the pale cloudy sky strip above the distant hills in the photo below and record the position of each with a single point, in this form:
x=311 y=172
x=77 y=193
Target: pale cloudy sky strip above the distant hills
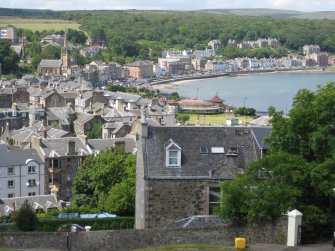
x=301 y=5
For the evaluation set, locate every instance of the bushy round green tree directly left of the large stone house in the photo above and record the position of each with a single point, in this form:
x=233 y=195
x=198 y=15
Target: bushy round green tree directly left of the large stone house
x=103 y=177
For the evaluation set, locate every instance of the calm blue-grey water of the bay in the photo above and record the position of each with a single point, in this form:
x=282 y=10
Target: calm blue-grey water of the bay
x=259 y=90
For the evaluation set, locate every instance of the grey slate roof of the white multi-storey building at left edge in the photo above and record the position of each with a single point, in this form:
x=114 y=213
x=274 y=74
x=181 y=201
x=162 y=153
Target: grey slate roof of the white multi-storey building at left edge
x=18 y=157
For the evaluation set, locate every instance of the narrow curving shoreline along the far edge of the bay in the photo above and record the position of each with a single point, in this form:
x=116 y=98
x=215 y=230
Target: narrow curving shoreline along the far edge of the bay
x=187 y=79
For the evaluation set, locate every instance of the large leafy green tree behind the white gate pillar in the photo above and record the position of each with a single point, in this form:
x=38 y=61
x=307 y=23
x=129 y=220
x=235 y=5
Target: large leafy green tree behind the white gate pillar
x=298 y=173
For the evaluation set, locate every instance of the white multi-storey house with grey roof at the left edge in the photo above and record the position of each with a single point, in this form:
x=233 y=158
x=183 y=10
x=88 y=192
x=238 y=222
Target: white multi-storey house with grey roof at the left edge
x=22 y=173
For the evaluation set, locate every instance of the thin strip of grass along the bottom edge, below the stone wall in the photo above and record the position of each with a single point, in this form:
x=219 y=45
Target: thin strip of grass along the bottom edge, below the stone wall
x=184 y=247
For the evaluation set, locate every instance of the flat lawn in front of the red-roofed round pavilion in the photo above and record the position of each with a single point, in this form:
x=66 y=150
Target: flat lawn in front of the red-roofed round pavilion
x=216 y=119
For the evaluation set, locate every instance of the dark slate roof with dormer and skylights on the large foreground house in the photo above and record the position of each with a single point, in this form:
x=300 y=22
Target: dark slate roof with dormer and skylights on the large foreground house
x=196 y=165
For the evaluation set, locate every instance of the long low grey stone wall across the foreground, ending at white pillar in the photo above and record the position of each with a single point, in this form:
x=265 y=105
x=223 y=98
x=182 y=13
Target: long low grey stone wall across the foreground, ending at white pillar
x=132 y=239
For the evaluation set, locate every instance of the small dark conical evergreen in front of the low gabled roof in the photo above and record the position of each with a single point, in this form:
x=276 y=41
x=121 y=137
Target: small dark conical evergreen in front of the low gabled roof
x=25 y=218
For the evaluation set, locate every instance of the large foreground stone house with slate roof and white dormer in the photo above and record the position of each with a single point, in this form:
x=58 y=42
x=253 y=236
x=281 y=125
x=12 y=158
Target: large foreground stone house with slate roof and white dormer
x=179 y=169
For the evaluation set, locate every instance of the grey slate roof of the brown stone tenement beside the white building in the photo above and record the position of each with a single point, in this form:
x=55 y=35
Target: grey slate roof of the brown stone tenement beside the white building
x=60 y=146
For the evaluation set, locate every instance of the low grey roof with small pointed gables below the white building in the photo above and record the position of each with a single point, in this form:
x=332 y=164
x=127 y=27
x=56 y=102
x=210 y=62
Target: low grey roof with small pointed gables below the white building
x=43 y=202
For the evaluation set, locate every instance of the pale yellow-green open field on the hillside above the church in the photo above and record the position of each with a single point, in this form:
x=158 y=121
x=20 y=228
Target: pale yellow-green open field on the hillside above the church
x=35 y=24
